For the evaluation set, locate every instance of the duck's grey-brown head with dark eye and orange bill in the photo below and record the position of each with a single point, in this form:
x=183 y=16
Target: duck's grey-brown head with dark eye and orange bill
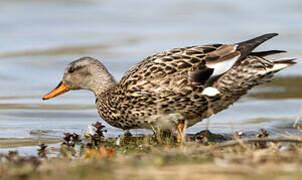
x=85 y=73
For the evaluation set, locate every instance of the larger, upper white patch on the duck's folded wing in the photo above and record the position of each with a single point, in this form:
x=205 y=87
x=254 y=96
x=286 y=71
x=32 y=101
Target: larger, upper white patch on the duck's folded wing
x=222 y=67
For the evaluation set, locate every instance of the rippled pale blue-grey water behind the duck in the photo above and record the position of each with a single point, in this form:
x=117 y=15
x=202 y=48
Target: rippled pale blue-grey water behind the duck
x=39 y=39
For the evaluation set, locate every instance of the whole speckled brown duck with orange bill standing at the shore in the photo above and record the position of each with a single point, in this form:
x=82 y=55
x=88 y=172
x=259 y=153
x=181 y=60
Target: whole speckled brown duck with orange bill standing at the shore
x=174 y=88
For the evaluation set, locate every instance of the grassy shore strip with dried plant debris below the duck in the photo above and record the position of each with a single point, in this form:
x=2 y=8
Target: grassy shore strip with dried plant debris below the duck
x=145 y=157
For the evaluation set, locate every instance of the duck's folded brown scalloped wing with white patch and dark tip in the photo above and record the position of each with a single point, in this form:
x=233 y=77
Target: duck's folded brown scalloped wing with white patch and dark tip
x=190 y=66
